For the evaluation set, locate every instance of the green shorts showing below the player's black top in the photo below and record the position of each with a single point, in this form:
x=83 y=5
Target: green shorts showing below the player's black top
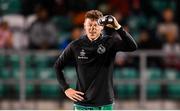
x=104 y=107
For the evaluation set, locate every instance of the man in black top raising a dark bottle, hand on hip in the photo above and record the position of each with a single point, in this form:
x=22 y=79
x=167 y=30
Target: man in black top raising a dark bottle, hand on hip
x=94 y=55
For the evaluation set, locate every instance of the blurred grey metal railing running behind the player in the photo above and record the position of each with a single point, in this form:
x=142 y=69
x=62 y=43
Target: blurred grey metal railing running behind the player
x=142 y=81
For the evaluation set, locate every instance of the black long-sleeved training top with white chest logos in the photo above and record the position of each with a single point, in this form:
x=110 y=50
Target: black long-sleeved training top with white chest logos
x=94 y=62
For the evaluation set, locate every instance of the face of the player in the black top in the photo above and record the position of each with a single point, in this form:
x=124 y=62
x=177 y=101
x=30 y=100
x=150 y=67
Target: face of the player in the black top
x=92 y=29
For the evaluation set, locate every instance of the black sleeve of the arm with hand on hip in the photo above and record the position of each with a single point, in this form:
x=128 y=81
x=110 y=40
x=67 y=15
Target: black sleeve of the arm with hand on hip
x=65 y=58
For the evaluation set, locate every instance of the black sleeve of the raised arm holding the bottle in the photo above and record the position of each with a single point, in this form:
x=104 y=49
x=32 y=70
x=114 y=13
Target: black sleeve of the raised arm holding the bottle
x=124 y=42
